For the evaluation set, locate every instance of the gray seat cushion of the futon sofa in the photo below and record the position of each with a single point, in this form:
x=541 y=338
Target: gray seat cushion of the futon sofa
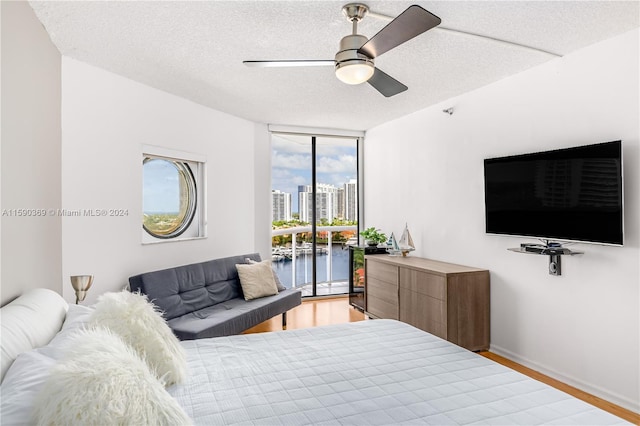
x=233 y=316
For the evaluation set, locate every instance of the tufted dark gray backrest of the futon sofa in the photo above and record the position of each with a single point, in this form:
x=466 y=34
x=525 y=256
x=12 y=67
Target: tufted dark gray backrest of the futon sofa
x=189 y=288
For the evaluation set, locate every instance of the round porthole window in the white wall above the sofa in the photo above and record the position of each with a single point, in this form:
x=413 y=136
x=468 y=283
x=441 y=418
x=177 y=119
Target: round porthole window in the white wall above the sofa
x=169 y=197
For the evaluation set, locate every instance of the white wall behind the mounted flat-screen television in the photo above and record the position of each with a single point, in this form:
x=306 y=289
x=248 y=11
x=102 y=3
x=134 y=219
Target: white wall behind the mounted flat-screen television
x=582 y=327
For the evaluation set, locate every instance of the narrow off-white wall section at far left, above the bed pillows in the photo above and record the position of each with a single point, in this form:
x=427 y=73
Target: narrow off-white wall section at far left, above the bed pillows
x=31 y=246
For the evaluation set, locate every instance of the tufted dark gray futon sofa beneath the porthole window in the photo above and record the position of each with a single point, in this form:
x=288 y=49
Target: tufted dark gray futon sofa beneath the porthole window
x=205 y=299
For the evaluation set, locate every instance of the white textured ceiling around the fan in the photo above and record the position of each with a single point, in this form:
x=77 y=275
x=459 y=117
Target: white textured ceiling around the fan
x=195 y=50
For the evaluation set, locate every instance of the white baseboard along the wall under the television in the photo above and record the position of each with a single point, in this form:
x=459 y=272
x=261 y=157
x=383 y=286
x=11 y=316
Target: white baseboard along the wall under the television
x=571 y=381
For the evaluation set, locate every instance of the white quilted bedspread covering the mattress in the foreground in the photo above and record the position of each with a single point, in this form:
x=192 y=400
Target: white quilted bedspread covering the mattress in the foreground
x=370 y=372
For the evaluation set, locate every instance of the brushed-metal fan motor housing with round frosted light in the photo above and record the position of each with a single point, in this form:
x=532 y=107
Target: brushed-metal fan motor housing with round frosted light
x=349 y=57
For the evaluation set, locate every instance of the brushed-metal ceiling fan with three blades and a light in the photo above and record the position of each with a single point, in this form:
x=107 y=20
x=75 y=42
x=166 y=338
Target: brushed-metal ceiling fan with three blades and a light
x=354 y=62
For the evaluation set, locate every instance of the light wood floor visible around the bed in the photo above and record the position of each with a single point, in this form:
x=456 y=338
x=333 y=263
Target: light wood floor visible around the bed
x=317 y=312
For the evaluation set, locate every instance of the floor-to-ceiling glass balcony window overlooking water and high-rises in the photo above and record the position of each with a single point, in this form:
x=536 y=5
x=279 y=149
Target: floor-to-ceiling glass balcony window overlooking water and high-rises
x=315 y=210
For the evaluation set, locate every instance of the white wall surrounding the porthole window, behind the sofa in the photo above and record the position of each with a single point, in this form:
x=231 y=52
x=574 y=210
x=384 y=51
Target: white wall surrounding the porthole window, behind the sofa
x=105 y=120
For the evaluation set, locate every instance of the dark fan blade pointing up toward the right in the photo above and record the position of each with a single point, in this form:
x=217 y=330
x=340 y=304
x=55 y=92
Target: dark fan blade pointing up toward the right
x=410 y=23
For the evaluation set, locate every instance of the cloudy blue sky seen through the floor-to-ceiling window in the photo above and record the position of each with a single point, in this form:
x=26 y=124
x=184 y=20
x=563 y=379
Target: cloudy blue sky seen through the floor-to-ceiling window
x=336 y=163
